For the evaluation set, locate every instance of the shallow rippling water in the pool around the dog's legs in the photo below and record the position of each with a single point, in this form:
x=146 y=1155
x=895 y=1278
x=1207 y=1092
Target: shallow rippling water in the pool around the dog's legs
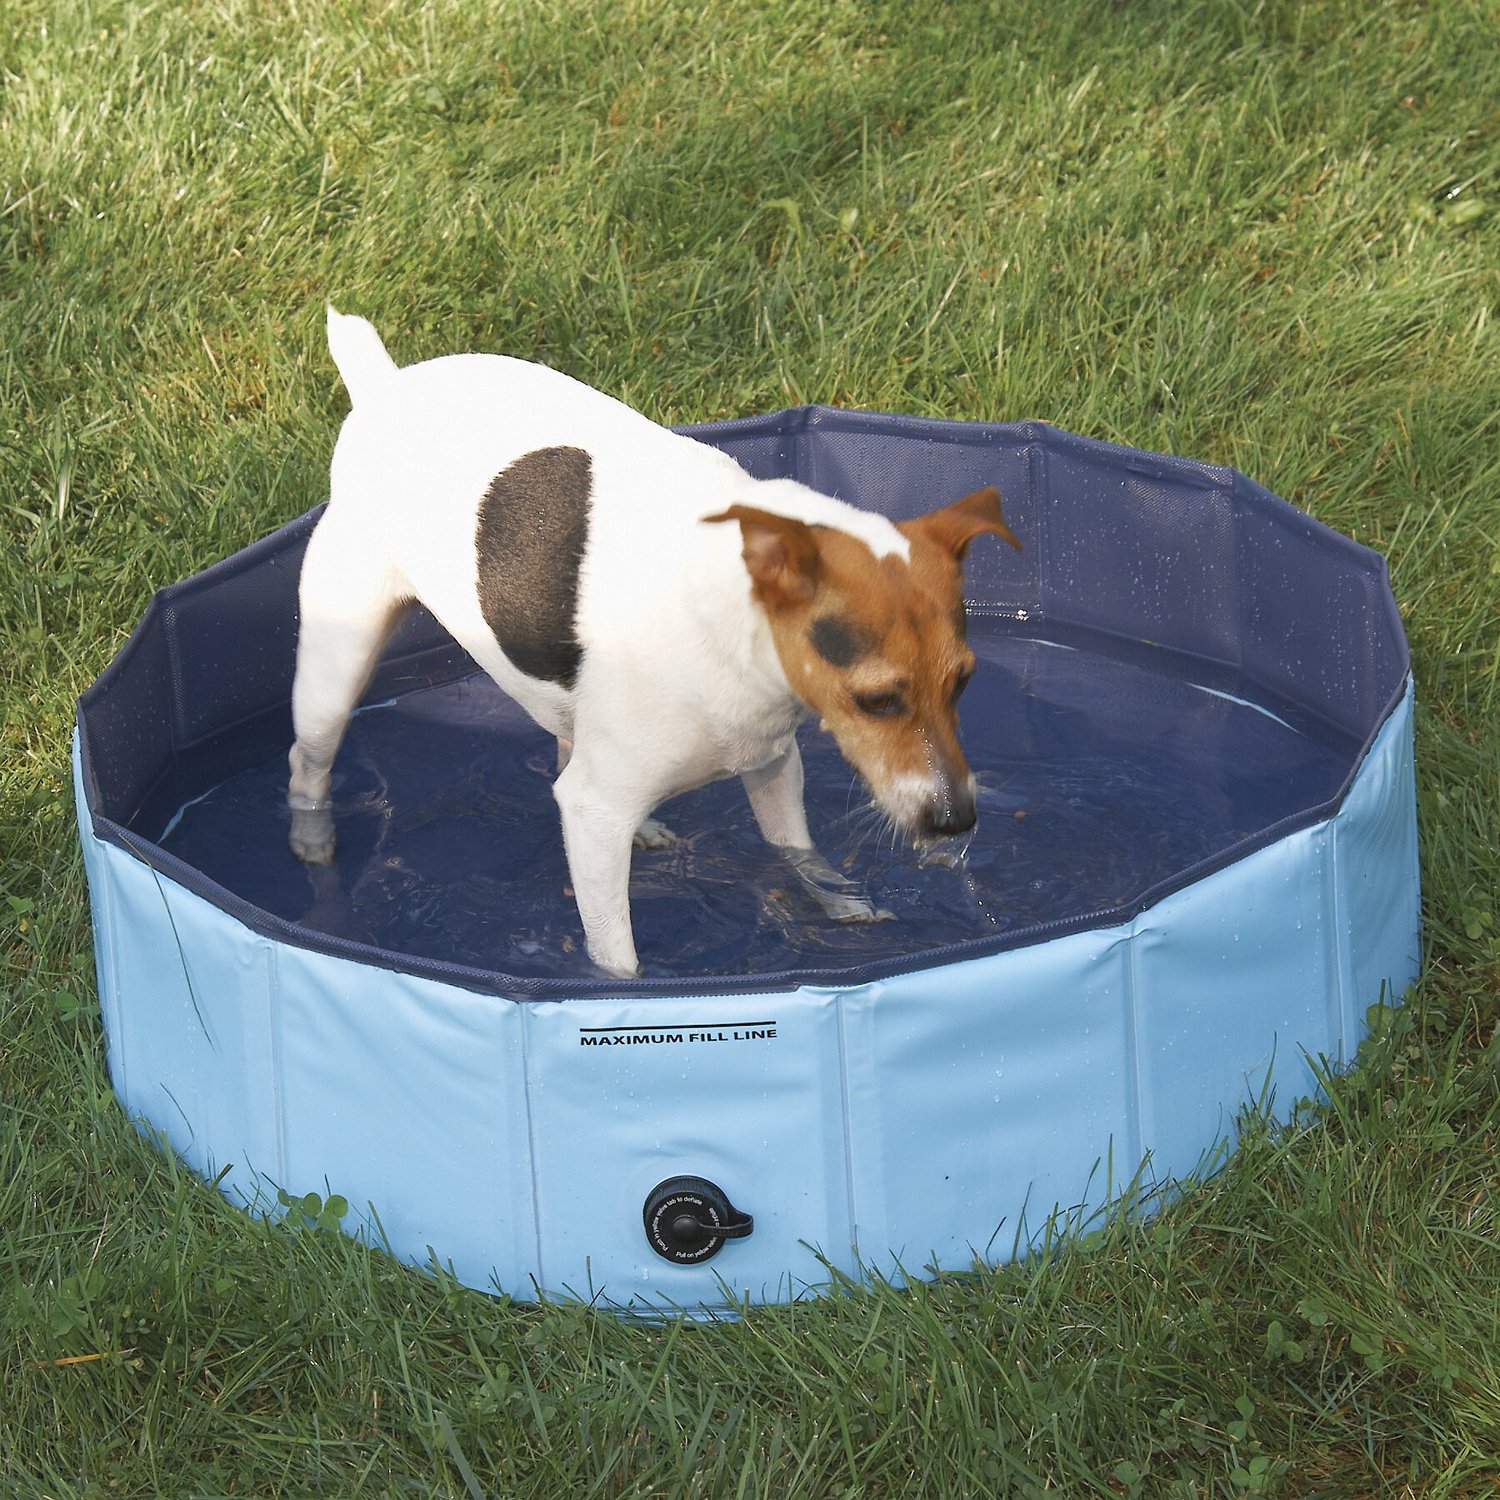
x=1102 y=775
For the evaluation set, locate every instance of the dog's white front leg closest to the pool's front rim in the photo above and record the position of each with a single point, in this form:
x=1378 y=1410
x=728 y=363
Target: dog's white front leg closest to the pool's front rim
x=598 y=833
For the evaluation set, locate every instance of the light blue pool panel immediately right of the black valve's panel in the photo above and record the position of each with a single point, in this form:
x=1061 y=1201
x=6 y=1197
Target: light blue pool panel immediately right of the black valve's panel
x=991 y=1094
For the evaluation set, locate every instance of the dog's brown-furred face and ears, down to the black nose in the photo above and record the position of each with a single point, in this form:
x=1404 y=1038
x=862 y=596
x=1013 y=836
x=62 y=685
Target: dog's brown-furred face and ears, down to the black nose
x=877 y=647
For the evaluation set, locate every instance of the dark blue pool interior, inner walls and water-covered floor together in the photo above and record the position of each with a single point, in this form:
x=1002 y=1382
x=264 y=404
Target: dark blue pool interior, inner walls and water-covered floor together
x=1160 y=689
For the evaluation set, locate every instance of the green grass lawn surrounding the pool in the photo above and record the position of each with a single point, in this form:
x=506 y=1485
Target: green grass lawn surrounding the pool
x=1261 y=235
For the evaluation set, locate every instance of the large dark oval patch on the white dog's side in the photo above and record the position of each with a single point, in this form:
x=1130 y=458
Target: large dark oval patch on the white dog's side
x=530 y=538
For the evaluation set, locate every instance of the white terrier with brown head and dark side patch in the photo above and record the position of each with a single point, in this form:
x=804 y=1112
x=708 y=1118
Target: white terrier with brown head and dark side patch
x=667 y=617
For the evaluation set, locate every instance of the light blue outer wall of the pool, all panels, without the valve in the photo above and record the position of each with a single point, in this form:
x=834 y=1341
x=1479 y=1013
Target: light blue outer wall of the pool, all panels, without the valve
x=901 y=1124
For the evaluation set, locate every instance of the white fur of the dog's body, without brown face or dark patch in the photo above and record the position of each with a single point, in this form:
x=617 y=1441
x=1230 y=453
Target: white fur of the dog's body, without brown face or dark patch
x=680 y=682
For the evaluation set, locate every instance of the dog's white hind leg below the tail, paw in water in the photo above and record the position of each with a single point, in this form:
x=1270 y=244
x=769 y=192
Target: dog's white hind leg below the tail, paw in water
x=350 y=605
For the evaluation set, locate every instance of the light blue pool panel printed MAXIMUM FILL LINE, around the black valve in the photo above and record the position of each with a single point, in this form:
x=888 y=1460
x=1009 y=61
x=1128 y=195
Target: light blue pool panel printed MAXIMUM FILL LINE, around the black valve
x=743 y=1091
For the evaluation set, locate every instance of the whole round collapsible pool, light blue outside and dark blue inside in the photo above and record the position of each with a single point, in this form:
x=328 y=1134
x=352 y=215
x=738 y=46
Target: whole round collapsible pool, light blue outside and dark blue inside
x=1195 y=871
